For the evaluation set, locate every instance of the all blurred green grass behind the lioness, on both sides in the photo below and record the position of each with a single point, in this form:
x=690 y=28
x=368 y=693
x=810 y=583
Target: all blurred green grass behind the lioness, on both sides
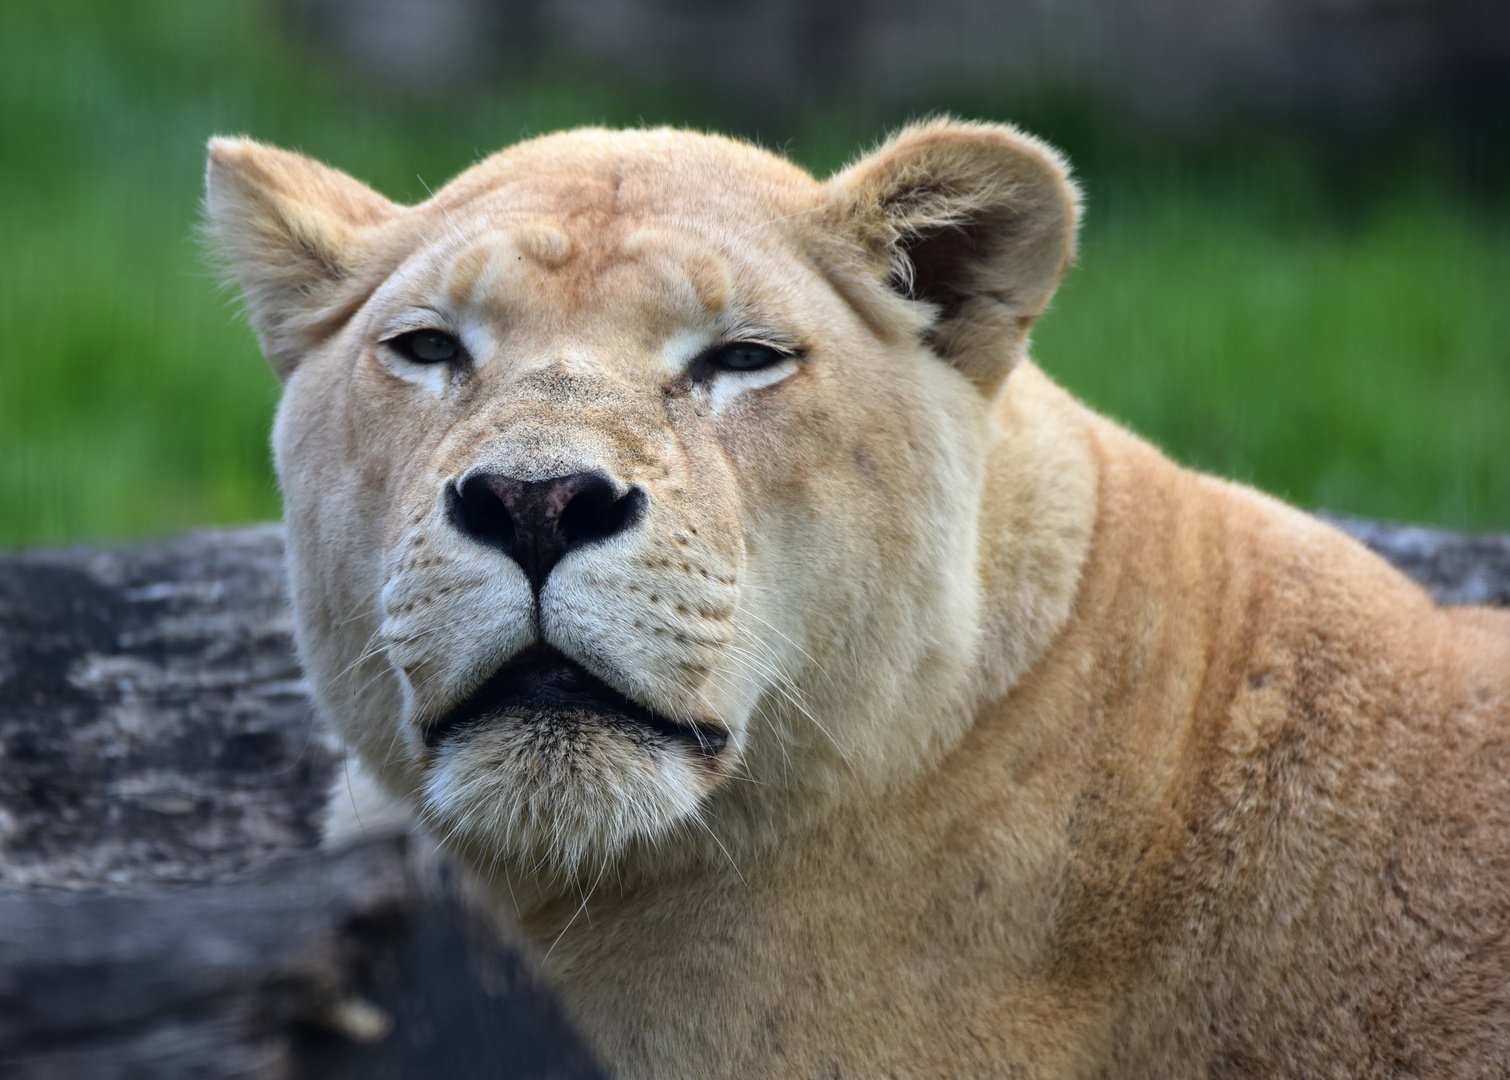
x=1345 y=344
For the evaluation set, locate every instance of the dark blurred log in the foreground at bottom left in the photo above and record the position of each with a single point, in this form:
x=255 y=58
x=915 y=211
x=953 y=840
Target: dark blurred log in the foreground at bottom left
x=337 y=967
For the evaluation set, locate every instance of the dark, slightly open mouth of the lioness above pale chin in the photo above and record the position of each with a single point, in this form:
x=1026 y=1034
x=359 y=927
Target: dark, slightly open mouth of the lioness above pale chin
x=546 y=685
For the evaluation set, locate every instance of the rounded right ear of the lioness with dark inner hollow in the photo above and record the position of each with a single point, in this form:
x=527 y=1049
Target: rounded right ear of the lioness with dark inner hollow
x=976 y=221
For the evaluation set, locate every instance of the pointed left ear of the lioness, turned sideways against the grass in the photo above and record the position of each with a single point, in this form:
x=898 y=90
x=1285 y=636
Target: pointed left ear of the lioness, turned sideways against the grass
x=298 y=239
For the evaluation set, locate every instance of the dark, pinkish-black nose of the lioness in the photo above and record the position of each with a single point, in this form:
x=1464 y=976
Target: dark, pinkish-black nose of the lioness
x=538 y=522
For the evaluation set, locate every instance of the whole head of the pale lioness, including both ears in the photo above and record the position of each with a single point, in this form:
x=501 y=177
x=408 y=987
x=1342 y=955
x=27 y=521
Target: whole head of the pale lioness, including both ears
x=635 y=480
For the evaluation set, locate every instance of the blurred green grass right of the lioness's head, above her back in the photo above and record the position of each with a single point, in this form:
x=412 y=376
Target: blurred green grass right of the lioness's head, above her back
x=1360 y=368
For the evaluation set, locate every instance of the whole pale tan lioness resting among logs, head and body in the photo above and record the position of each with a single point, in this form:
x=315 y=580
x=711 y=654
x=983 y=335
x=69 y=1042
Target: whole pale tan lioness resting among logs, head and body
x=691 y=546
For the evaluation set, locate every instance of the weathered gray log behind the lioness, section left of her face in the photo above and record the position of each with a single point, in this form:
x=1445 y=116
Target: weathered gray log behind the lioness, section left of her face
x=155 y=724
